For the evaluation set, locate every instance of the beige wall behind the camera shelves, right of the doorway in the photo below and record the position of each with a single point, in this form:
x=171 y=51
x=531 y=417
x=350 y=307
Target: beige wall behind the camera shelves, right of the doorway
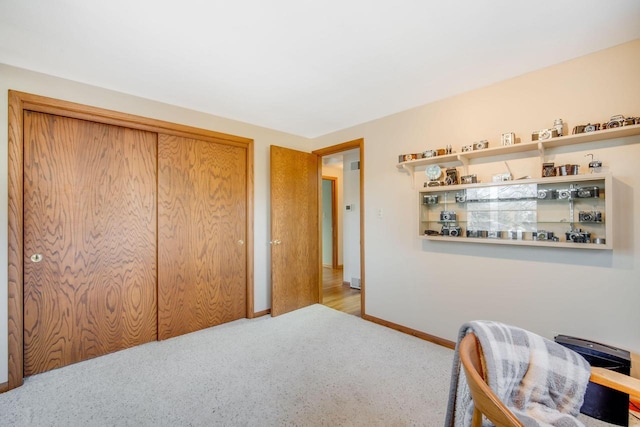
x=434 y=287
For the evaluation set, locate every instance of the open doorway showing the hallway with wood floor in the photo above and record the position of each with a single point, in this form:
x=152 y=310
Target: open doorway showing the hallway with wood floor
x=341 y=250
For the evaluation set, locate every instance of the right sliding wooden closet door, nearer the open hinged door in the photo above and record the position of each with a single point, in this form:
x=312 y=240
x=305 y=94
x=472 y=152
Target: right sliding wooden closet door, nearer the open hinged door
x=202 y=220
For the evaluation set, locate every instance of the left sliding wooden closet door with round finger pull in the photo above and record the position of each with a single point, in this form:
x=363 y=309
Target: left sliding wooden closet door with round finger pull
x=89 y=240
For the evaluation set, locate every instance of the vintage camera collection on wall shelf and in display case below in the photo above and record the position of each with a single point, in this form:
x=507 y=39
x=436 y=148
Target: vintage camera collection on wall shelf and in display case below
x=570 y=207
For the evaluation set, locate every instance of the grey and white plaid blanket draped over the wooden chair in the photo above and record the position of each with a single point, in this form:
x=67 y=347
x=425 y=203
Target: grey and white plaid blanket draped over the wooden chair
x=540 y=381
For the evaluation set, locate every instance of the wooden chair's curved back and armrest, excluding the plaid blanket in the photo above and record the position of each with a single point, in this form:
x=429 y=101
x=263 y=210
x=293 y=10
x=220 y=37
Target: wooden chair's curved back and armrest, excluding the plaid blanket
x=487 y=403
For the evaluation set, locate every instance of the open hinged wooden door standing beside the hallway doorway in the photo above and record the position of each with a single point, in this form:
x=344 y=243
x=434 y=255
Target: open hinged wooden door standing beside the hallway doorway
x=295 y=262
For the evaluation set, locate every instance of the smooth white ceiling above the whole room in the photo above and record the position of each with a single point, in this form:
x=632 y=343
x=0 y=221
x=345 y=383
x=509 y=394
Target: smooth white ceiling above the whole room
x=301 y=66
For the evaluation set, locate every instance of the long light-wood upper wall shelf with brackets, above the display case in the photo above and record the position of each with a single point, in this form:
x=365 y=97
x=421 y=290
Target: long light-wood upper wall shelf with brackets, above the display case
x=538 y=147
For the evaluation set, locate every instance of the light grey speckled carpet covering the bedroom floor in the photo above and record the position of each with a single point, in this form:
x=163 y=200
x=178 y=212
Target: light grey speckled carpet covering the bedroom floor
x=312 y=367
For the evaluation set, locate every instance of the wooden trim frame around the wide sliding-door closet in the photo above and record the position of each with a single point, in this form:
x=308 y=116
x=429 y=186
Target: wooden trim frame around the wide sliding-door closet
x=18 y=103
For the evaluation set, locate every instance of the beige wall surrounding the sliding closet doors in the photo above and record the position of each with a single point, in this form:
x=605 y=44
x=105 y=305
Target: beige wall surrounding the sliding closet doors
x=26 y=81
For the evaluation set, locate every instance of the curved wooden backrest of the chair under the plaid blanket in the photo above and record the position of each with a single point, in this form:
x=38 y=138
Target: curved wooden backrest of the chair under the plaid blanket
x=484 y=399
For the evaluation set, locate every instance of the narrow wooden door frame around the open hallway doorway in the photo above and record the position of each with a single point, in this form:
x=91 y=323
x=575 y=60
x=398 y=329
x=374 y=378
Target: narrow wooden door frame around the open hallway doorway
x=334 y=149
